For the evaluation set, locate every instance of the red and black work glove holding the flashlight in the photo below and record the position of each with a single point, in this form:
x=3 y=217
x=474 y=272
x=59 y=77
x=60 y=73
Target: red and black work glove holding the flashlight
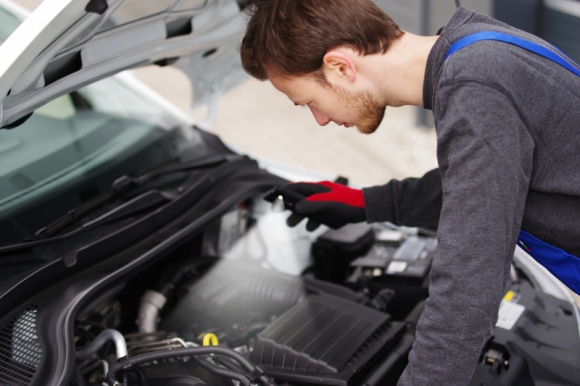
x=328 y=203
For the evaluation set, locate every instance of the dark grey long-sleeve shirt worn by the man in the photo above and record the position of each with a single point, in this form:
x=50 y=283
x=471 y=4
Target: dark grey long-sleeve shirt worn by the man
x=508 y=132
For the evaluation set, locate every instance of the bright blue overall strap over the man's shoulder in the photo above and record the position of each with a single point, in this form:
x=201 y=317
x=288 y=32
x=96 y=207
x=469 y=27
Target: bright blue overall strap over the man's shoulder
x=561 y=59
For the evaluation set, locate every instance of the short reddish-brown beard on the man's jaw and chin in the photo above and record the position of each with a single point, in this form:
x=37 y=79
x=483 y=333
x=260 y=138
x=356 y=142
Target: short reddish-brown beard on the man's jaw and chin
x=370 y=111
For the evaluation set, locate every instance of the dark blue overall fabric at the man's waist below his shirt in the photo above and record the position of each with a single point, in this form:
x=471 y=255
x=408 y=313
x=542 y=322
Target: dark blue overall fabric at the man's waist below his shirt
x=561 y=264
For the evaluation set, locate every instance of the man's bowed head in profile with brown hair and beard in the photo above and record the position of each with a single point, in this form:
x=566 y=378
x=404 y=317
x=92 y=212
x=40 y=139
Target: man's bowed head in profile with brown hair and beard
x=309 y=50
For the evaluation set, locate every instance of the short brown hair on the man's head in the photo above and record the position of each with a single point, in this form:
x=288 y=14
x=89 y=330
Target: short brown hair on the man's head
x=291 y=37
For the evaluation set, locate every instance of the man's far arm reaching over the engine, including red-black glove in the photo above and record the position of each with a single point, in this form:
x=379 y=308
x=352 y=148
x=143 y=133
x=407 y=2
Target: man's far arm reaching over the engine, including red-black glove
x=410 y=202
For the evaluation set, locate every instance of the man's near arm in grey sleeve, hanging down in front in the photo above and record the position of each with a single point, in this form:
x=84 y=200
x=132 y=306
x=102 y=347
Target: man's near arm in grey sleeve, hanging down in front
x=485 y=157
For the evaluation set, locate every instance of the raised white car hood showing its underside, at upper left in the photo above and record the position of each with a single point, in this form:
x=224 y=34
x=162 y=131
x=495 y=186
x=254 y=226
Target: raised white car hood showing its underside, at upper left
x=65 y=44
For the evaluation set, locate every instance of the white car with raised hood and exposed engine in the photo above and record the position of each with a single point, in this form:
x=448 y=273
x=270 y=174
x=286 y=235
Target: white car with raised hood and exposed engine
x=139 y=249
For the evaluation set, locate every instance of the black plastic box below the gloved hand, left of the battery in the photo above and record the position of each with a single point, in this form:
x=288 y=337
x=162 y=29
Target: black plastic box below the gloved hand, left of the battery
x=334 y=250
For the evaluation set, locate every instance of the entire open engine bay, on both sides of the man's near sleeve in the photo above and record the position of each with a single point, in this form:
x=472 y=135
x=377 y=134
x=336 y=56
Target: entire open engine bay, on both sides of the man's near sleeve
x=225 y=293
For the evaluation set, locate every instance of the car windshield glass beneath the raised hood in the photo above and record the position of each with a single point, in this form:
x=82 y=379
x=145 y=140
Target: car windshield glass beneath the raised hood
x=76 y=146
